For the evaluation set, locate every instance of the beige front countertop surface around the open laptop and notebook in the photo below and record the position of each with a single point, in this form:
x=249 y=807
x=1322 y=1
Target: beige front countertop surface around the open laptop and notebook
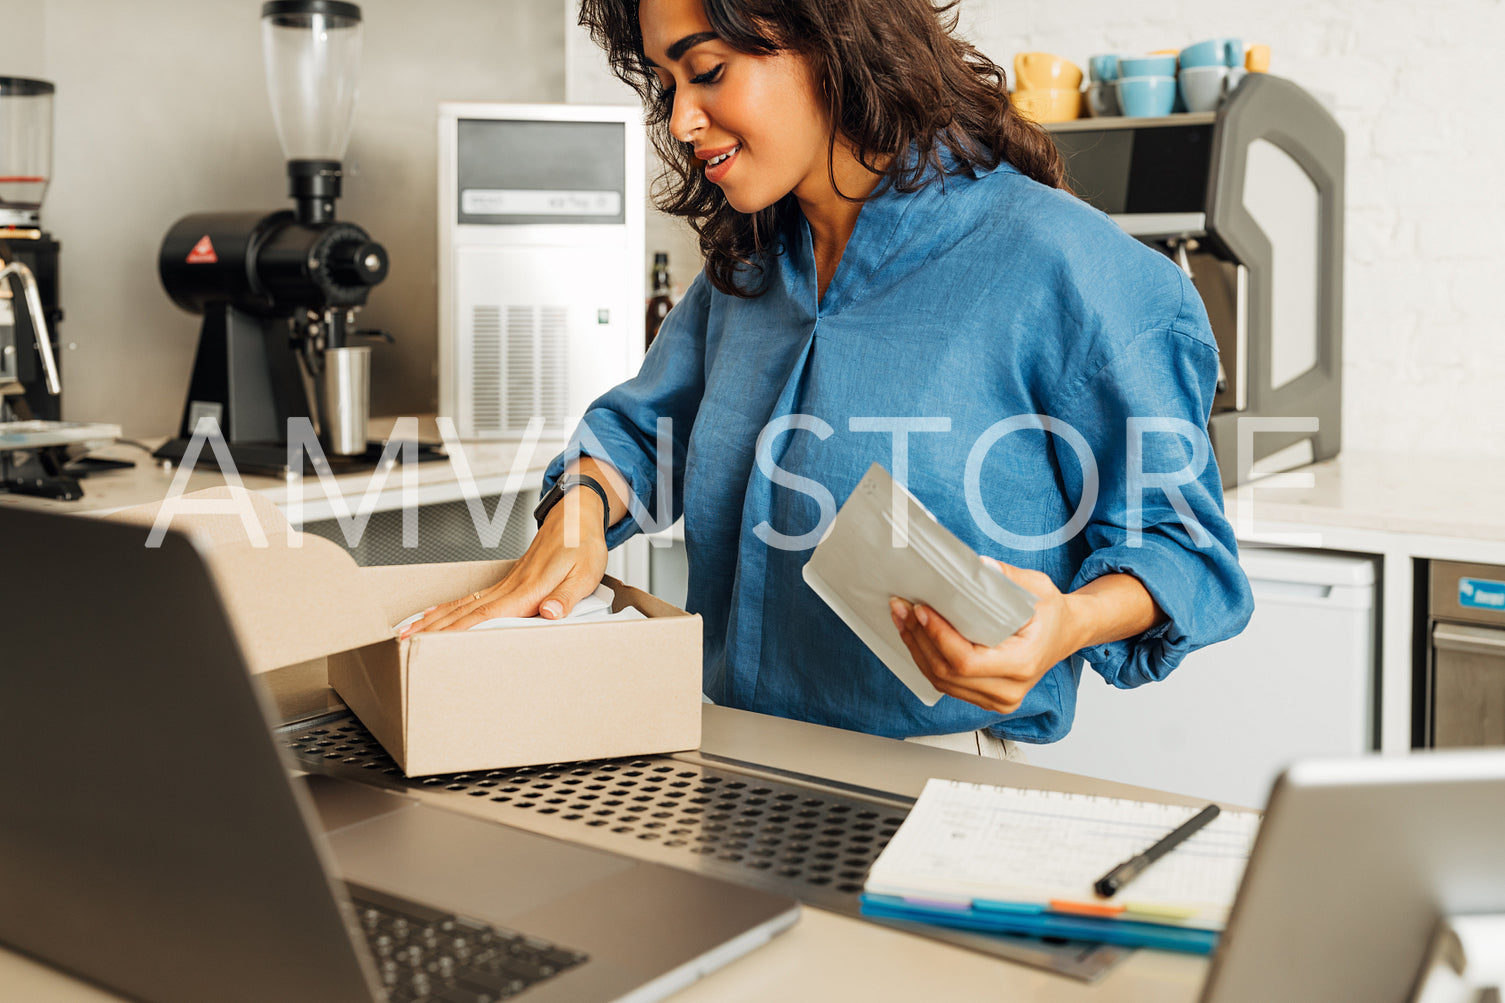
x=832 y=957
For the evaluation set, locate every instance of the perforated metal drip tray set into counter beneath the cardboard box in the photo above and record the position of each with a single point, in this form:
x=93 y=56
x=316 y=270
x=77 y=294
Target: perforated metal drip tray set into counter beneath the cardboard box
x=792 y=835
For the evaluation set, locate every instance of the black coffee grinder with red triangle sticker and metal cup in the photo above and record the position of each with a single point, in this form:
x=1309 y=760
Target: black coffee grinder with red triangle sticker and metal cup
x=279 y=291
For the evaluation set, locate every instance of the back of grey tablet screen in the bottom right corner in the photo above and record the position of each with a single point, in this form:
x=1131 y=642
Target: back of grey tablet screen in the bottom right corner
x=1355 y=865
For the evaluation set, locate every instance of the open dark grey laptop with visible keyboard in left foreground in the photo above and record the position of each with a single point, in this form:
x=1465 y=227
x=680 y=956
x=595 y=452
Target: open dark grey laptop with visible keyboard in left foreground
x=154 y=841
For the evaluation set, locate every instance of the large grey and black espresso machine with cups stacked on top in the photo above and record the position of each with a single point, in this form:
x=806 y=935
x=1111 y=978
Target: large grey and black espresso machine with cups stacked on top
x=1248 y=201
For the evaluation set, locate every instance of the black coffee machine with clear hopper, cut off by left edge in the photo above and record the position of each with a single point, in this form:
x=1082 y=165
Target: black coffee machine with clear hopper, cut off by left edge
x=34 y=442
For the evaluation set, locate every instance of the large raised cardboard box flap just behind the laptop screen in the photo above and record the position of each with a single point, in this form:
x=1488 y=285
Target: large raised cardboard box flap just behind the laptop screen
x=290 y=597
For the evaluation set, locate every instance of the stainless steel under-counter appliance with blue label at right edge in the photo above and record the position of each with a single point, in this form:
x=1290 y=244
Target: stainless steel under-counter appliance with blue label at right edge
x=1465 y=669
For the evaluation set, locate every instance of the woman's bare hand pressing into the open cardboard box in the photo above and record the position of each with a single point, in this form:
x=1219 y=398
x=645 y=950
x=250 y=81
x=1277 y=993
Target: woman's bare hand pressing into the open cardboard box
x=564 y=566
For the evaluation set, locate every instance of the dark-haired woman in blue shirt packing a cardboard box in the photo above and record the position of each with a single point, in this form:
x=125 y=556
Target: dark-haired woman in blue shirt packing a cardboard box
x=892 y=272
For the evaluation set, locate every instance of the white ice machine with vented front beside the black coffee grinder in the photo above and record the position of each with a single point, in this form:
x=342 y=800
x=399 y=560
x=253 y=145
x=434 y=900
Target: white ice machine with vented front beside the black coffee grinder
x=541 y=263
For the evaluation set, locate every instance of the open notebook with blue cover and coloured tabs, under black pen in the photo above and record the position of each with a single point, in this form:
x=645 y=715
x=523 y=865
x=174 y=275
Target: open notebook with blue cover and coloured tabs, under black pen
x=1021 y=861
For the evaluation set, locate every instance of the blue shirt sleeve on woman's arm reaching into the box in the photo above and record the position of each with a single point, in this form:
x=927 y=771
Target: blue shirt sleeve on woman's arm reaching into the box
x=622 y=427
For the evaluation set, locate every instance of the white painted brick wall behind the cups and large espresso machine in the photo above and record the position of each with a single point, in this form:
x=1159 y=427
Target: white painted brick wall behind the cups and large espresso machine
x=1424 y=337
